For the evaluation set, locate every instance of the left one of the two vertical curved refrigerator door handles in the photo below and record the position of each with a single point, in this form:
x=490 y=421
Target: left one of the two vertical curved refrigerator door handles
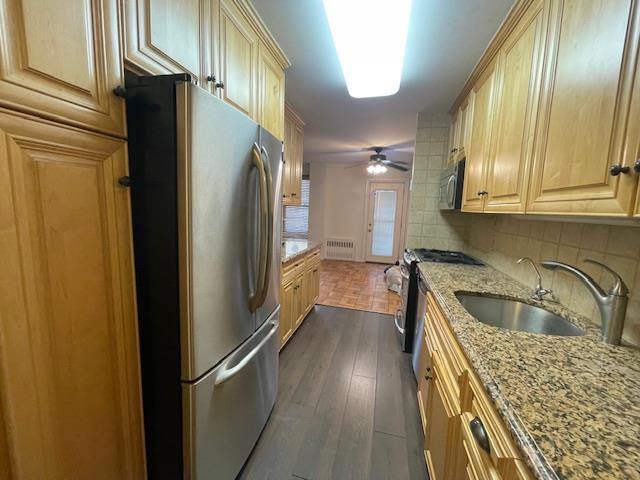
x=257 y=298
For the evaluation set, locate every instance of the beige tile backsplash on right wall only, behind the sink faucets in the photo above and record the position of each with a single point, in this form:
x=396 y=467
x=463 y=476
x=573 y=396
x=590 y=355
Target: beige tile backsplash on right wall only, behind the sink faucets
x=500 y=240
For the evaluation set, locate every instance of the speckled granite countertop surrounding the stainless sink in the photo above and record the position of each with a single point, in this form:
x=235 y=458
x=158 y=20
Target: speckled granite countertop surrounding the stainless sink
x=572 y=404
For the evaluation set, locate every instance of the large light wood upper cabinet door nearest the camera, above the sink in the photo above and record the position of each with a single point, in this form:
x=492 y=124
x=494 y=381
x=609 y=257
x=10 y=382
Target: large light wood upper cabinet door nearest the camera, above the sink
x=585 y=113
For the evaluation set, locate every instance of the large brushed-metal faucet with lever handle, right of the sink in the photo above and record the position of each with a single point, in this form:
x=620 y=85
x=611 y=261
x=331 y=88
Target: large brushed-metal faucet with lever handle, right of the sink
x=612 y=306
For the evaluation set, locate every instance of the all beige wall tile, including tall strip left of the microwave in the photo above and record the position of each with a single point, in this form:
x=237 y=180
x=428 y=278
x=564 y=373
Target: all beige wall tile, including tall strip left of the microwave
x=500 y=240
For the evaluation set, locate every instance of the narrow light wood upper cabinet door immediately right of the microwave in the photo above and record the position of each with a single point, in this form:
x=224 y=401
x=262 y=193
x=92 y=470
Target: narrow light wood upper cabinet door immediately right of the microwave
x=482 y=98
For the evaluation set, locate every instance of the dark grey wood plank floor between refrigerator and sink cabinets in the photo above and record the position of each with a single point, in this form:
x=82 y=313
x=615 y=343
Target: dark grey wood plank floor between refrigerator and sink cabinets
x=346 y=405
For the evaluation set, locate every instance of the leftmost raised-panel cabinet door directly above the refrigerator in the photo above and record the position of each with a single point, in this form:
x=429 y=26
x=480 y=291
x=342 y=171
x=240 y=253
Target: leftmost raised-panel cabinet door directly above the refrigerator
x=162 y=36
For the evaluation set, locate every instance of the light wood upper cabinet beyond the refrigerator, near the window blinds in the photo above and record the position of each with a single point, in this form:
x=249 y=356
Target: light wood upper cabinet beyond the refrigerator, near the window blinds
x=293 y=157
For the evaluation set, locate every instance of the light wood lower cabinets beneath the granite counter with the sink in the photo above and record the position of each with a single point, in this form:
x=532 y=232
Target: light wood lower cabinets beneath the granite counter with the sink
x=451 y=397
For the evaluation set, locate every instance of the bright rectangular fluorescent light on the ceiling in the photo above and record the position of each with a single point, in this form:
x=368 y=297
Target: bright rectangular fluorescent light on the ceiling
x=370 y=37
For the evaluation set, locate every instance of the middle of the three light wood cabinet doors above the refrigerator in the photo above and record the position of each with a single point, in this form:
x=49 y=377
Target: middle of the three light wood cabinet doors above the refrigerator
x=238 y=59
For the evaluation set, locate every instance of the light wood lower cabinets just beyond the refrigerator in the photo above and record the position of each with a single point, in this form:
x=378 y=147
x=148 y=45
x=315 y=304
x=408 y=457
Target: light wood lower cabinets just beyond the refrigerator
x=298 y=293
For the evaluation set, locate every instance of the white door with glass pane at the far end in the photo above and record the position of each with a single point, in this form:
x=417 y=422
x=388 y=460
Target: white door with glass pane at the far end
x=384 y=222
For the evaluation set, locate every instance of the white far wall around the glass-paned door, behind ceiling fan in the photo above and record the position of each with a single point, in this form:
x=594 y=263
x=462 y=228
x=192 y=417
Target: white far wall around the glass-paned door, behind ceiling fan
x=338 y=202
